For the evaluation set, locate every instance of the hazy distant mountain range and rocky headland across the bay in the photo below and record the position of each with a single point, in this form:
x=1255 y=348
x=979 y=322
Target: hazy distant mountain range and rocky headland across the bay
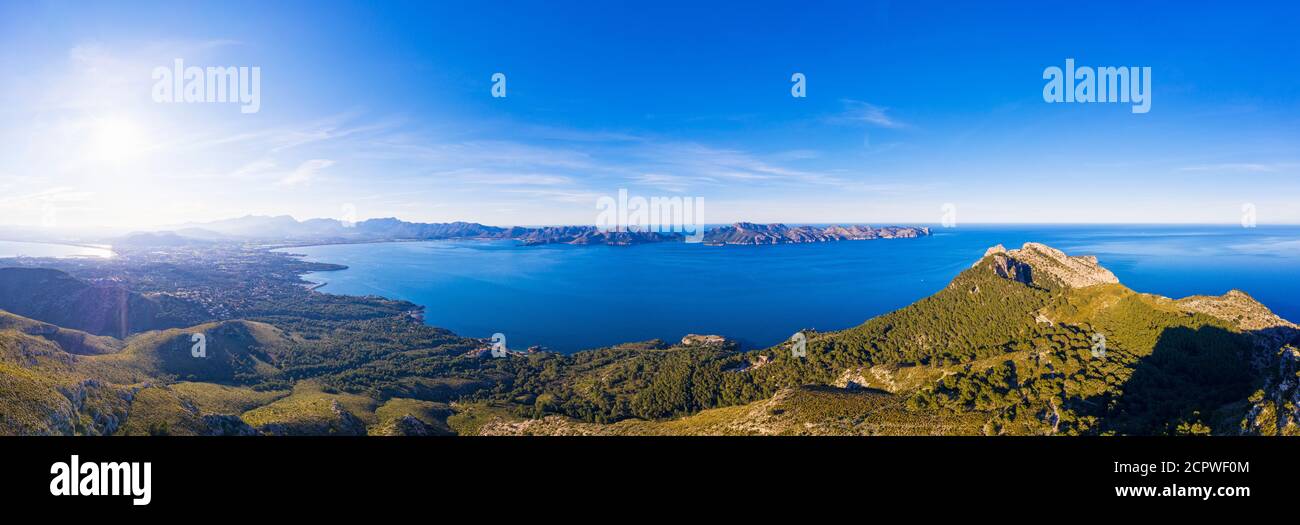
x=285 y=229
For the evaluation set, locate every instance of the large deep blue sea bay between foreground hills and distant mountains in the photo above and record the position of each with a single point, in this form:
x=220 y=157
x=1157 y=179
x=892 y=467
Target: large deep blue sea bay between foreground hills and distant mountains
x=570 y=298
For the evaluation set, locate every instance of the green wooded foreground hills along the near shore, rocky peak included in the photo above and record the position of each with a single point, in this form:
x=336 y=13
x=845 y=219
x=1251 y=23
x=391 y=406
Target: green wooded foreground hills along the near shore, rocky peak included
x=1026 y=341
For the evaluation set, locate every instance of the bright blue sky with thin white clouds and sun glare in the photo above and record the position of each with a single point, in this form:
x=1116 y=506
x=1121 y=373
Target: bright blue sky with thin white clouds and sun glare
x=387 y=110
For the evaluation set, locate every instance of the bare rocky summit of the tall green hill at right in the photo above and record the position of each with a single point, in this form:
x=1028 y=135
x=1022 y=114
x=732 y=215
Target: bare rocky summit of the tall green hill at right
x=1043 y=266
